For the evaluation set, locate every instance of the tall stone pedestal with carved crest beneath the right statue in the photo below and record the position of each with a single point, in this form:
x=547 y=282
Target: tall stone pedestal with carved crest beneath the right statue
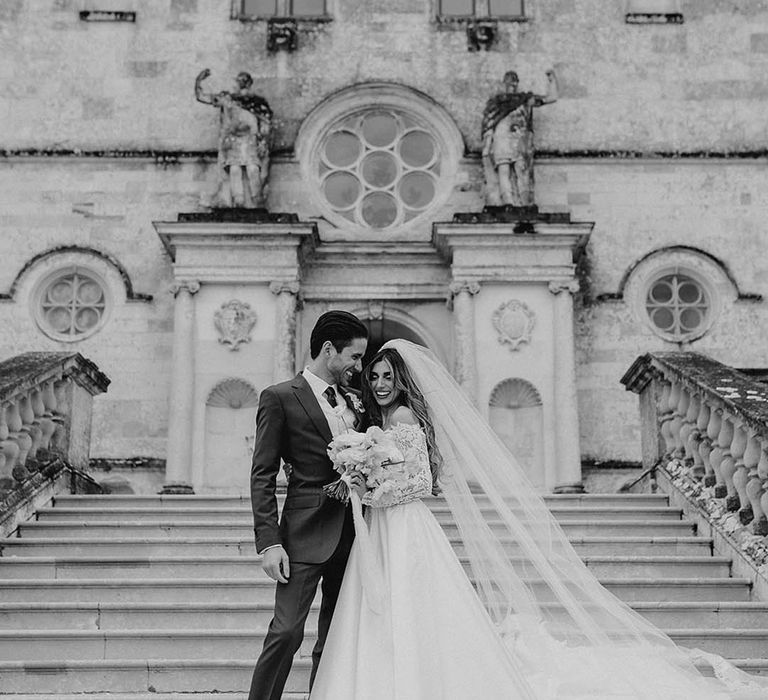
x=522 y=266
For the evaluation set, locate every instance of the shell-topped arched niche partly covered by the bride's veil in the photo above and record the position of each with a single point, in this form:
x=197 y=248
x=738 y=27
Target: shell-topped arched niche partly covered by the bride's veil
x=516 y=416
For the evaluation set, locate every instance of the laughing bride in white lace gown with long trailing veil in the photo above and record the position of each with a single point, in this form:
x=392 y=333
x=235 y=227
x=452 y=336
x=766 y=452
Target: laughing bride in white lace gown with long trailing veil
x=517 y=615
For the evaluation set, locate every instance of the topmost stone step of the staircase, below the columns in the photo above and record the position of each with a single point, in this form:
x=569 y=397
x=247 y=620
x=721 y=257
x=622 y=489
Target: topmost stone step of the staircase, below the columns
x=209 y=501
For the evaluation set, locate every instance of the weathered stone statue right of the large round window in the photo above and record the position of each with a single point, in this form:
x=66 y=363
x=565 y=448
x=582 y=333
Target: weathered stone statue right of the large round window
x=508 y=142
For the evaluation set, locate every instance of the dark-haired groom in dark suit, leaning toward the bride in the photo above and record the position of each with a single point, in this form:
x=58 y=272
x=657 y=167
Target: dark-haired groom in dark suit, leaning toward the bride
x=295 y=422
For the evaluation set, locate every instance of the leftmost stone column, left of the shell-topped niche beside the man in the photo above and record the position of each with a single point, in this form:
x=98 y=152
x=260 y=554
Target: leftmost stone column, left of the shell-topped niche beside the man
x=179 y=458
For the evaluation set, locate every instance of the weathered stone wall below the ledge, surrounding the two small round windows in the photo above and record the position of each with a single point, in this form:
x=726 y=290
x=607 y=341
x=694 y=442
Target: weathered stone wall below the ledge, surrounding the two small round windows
x=639 y=206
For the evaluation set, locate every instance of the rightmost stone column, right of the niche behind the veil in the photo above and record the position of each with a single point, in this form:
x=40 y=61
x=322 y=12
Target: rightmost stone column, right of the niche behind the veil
x=567 y=452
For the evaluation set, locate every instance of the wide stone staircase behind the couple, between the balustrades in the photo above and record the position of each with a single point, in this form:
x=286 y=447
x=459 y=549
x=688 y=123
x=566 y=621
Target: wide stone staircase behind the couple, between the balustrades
x=161 y=597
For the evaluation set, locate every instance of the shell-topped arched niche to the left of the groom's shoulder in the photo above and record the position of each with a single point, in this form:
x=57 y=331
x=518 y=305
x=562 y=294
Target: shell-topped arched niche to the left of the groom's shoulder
x=230 y=421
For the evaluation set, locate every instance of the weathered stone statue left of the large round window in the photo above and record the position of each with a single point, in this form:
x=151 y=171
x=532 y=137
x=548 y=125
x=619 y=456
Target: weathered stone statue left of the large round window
x=244 y=129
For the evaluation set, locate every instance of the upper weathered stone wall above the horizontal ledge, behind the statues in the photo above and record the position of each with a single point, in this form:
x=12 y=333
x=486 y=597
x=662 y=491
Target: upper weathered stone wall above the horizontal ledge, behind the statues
x=698 y=86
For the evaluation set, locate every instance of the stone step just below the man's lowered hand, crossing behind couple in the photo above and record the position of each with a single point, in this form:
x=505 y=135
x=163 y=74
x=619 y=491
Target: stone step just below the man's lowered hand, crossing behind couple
x=250 y=590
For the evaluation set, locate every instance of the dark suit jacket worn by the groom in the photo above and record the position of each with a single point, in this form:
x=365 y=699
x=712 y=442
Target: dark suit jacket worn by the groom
x=290 y=425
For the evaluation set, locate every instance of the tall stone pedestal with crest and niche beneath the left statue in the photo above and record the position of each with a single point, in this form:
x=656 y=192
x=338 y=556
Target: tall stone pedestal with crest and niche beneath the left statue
x=224 y=261
